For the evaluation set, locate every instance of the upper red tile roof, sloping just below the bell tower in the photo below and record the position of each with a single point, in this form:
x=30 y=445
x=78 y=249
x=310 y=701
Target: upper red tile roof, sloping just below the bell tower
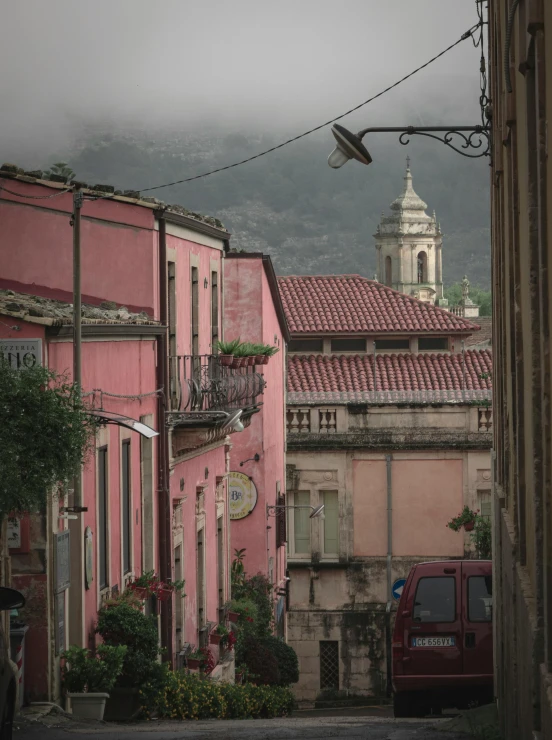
x=350 y=303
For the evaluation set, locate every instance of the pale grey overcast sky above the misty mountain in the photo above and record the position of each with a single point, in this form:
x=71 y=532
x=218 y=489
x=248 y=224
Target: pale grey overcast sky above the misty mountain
x=69 y=64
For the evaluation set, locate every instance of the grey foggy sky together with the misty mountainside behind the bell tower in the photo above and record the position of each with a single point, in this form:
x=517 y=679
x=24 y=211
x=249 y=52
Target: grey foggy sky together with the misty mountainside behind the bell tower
x=141 y=96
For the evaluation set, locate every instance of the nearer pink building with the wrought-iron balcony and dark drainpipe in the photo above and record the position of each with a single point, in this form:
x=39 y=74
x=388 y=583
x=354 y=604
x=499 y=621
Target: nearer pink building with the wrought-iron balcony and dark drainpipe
x=152 y=292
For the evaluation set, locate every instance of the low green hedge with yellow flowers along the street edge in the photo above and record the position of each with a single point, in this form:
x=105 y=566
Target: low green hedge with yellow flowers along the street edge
x=186 y=696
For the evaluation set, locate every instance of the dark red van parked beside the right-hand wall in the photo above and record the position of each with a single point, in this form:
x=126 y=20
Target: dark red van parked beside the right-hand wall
x=443 y=638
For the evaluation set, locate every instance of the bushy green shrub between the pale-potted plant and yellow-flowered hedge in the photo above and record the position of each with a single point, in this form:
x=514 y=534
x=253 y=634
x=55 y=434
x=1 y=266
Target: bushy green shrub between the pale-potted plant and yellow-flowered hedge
x=121 y=623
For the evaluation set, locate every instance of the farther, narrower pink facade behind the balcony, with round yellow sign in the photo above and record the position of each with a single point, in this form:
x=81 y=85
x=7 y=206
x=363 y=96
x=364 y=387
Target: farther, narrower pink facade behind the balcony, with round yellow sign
x=253 y=309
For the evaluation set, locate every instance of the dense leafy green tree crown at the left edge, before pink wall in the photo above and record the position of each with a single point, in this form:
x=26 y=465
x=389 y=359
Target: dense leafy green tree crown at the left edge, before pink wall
x=45 y=436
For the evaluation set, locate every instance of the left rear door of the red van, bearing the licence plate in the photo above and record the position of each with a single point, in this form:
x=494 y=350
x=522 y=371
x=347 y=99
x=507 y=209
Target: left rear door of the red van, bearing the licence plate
x=432 y=621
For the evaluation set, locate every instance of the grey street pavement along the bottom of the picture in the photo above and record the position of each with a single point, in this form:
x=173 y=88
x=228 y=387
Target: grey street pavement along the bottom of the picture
x=354 y=726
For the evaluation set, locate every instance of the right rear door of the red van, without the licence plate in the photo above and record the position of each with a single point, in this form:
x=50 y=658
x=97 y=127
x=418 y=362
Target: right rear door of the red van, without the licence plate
x=477 y=591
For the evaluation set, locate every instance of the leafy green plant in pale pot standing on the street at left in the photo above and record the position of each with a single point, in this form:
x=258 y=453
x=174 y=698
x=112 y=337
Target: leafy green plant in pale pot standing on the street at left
x=88 y=678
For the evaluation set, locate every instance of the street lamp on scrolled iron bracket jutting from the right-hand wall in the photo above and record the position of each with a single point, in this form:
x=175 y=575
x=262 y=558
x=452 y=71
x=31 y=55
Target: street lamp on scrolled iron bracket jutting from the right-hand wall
x=350 y=146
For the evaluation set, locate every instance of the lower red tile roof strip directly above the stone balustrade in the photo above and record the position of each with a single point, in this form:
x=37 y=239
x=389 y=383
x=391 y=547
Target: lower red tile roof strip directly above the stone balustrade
x=351 y=377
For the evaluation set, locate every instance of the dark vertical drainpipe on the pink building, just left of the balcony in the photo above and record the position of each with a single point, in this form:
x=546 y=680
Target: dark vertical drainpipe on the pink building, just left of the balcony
x=164 y=501
